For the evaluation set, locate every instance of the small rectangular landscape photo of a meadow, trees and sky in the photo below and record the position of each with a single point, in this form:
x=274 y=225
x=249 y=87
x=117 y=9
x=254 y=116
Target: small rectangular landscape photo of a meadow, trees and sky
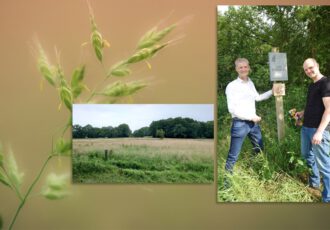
x=145 y=143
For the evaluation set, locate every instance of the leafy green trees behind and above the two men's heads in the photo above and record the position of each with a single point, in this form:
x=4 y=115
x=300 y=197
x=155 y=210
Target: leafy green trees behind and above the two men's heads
x=252 y=31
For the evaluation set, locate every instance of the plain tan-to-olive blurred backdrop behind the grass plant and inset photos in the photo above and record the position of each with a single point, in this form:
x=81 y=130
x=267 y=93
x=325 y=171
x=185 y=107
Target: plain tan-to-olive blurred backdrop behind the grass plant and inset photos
x=184 y=73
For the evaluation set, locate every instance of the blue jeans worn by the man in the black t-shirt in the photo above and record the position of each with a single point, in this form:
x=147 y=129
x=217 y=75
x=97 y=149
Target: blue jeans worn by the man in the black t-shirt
x=318 y=159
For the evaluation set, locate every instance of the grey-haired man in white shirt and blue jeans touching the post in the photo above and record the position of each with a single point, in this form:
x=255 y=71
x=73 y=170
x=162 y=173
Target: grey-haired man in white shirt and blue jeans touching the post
x=241 y=97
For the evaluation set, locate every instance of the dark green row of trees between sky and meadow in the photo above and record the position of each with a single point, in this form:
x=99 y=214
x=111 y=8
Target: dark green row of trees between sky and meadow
x=169 y=128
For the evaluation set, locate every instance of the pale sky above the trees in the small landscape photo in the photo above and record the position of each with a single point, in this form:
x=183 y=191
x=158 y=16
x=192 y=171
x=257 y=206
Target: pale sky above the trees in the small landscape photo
x=137 y=116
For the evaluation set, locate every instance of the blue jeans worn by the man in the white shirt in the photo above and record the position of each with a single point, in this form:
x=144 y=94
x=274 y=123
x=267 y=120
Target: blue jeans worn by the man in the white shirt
x=239 y=130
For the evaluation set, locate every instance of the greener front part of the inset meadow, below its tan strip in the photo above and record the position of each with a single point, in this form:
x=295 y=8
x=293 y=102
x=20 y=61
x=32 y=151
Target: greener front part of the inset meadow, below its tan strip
x=142 y=164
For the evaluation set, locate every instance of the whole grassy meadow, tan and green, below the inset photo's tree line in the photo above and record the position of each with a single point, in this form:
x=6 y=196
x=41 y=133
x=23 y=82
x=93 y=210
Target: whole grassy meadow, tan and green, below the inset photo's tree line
x=143 y=160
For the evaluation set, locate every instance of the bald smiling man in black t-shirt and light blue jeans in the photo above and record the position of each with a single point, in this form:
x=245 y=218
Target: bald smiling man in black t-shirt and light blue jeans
x=315 y=133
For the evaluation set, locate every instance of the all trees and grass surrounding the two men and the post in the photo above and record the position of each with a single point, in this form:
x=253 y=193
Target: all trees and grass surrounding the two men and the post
x=279 y=173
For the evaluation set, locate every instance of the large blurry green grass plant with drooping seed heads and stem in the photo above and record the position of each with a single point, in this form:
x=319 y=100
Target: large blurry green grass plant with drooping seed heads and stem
x=110 y=90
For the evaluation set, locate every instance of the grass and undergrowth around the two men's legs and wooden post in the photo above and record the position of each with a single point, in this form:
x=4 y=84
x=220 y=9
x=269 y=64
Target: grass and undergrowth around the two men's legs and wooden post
x=279 y=174
